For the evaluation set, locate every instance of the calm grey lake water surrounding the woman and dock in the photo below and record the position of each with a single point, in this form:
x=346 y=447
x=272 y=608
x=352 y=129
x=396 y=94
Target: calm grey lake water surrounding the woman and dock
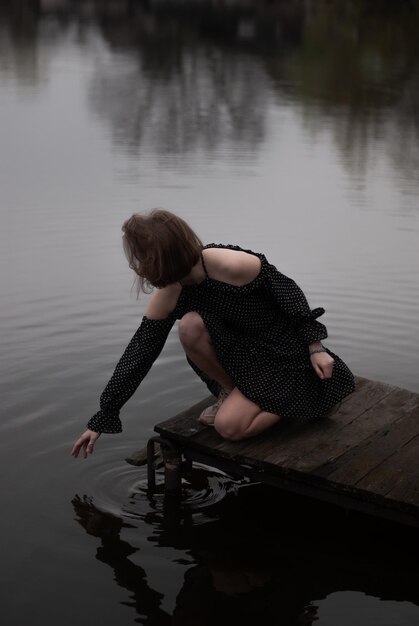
x=292 y=130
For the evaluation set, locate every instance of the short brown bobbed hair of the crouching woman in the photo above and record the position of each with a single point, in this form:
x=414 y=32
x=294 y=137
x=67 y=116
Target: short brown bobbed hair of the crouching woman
x=160 y=247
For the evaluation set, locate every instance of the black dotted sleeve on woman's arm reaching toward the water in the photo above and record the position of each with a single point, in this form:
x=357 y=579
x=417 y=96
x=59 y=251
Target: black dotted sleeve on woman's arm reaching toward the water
x=133 y=366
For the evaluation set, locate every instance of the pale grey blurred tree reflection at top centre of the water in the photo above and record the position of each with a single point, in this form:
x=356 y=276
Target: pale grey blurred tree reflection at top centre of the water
x=175 y=94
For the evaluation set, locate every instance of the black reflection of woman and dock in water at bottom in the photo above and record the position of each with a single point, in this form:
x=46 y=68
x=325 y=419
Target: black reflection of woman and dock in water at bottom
x=256 y=563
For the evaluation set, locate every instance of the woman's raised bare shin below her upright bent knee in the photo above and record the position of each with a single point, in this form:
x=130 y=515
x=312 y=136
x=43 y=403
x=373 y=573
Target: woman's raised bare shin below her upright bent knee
x=197 y=344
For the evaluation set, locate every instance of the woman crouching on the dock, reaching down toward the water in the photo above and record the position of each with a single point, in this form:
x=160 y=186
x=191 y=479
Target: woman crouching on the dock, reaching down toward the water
x=246 y=329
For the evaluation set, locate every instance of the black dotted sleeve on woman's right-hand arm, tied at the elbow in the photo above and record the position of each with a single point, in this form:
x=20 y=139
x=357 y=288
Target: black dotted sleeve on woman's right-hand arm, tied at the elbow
x=293 y=304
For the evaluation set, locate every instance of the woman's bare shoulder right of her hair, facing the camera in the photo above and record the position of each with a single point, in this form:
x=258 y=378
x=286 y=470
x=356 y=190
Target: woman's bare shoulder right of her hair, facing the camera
x=235 y=267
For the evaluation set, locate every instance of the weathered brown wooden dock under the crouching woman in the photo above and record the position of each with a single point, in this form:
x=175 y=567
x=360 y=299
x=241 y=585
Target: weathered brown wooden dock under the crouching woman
x=364 y=456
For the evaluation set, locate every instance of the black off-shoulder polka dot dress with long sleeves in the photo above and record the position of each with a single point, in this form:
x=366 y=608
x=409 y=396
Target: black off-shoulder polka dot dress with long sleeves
x=260 y=333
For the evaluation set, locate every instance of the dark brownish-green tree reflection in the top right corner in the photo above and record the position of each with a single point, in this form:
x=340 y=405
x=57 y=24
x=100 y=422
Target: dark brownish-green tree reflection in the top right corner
x=356 y=71
